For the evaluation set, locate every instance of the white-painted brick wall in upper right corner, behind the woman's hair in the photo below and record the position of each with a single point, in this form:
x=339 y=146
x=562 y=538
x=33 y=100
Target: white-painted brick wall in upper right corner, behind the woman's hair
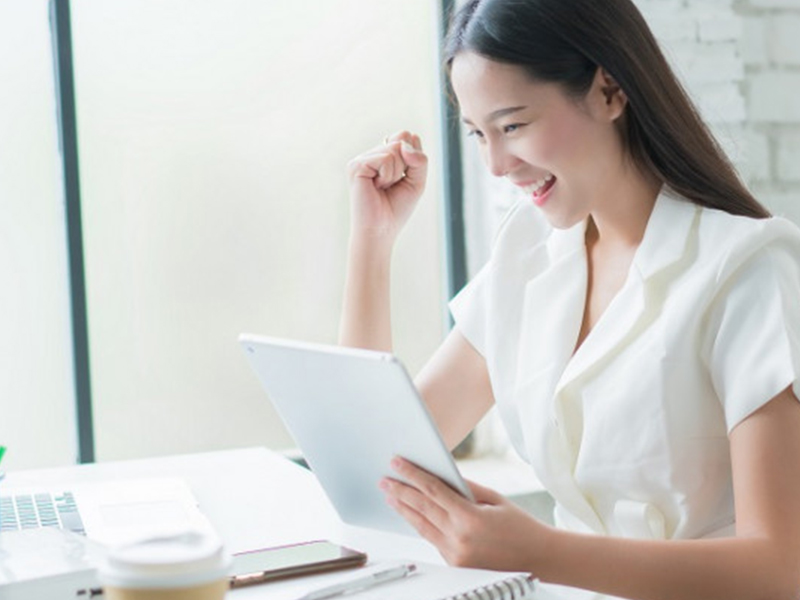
x=740 y=61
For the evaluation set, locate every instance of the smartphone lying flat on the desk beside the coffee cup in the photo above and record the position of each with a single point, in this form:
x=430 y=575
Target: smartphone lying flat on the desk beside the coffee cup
x=269 y=564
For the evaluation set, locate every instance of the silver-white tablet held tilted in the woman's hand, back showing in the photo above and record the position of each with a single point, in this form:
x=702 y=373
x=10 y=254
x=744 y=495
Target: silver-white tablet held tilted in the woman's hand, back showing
x=350 y=411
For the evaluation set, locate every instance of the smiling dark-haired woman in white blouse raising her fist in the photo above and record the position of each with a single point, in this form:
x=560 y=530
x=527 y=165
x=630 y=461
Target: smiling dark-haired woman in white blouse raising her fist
x=637 y=325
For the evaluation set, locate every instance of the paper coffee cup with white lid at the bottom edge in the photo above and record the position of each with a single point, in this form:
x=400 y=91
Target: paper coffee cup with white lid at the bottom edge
x=185 y=566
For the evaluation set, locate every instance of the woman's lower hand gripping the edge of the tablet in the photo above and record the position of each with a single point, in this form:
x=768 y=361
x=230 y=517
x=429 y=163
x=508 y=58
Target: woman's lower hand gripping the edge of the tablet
x=490 y=533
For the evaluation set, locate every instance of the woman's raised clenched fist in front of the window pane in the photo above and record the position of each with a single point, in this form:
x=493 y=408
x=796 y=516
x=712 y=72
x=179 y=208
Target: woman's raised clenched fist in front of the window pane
x=385 y=184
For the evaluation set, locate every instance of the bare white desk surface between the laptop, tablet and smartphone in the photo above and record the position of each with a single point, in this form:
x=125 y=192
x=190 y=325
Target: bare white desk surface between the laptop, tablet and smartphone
x=255 y=498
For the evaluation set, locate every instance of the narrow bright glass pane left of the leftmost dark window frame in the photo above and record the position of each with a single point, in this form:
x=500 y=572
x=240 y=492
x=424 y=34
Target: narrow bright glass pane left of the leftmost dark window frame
x=36 y=386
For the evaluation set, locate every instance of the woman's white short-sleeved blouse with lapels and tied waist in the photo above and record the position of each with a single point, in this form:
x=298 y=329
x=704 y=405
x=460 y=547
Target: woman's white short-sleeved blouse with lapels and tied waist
x=630 y=434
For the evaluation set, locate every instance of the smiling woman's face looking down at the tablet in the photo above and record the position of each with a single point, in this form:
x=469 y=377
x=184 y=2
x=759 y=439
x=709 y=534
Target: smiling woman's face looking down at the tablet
x=564 y=153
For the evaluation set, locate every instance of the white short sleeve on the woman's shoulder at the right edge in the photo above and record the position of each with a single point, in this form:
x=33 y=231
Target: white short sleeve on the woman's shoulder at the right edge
x=754 y=331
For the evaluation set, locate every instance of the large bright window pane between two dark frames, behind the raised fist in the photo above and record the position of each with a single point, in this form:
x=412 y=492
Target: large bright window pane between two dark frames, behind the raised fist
x=214 y=138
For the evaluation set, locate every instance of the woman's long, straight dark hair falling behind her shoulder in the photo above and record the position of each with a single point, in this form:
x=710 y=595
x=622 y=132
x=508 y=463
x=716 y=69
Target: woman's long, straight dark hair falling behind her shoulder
x=565 y=41
